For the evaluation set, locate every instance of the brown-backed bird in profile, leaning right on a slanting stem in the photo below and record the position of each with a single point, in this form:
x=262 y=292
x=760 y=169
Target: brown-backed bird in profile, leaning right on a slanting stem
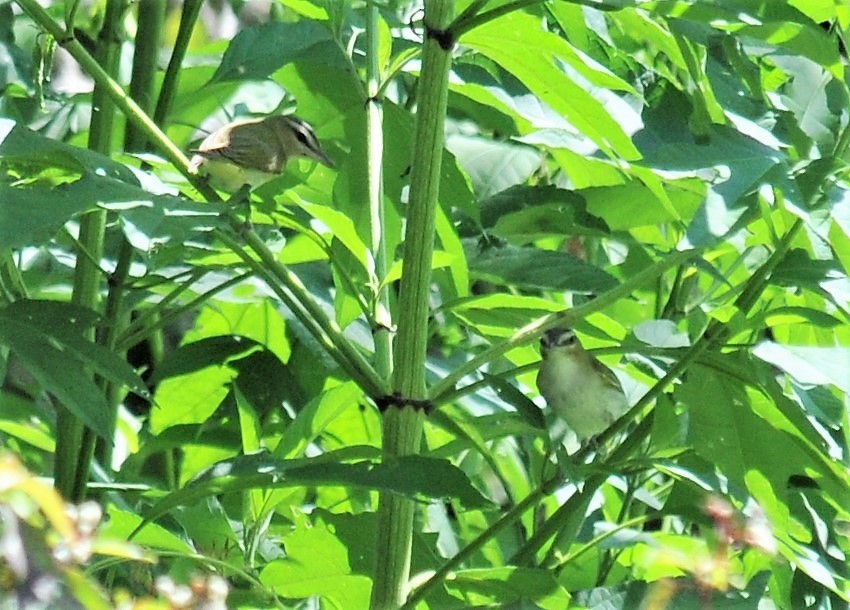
x=253 y=151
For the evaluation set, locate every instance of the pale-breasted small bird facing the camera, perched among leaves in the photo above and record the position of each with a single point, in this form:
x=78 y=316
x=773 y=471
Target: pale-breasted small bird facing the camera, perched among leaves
x=581 y=390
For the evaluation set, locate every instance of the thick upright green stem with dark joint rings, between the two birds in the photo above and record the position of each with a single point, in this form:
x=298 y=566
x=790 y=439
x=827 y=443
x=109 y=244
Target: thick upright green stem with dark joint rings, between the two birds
x=402 y=424
